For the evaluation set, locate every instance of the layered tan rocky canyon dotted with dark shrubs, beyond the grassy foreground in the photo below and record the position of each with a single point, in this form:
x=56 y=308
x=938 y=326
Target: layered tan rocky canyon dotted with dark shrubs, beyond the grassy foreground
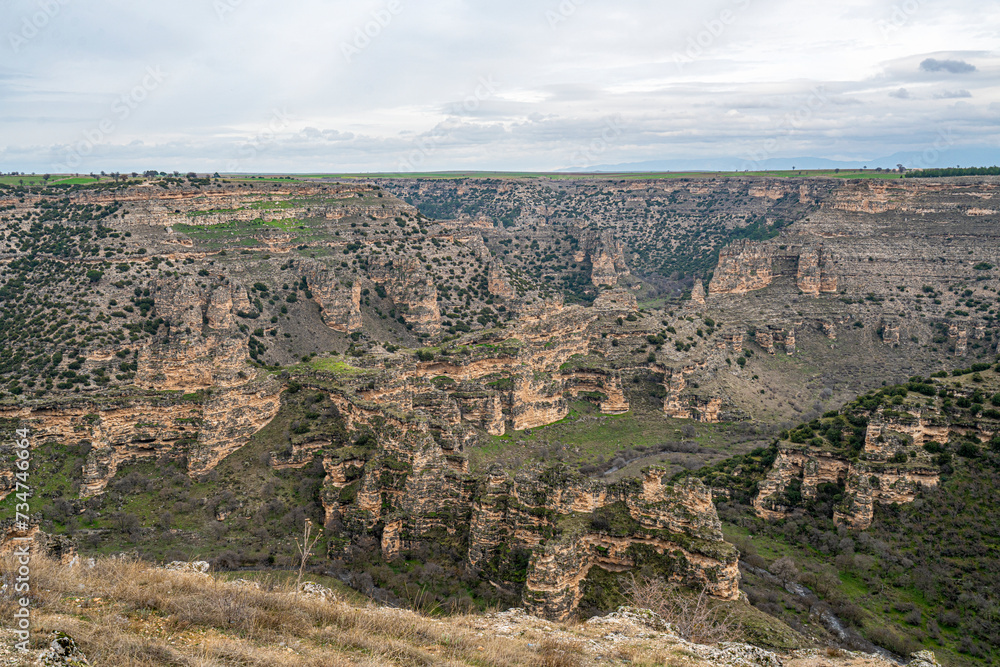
x=205 y=363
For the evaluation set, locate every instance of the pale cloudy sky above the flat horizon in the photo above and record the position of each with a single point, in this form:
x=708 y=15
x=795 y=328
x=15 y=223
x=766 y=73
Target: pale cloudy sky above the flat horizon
x=312 y=86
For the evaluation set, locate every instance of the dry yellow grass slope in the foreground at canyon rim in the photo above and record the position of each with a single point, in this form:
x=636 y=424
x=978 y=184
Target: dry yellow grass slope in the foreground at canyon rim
x=124 y=612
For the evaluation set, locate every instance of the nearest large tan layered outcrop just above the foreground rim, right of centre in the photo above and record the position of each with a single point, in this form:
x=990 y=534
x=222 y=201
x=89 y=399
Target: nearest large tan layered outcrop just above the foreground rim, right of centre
x=571 y=525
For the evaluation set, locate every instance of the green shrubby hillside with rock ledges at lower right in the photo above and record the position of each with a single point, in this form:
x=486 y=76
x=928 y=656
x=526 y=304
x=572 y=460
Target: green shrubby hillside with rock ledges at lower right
x=888 y=510
